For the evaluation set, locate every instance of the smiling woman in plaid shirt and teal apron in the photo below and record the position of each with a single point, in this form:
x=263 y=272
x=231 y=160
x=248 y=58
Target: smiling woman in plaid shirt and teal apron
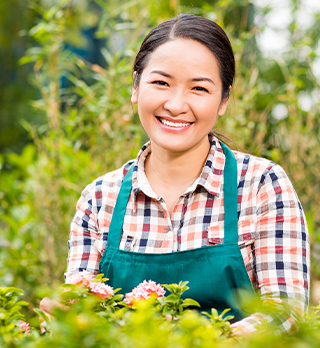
x=189 y=208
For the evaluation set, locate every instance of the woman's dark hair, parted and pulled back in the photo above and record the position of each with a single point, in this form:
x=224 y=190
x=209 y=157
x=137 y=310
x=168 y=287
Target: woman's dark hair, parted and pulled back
x=196 y=28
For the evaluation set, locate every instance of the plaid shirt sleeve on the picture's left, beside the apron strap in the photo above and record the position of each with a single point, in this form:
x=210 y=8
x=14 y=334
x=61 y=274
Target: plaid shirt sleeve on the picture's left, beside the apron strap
x=83 y=254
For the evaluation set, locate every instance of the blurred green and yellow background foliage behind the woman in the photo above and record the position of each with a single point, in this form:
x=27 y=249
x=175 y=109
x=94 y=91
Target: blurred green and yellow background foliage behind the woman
x=66 y=116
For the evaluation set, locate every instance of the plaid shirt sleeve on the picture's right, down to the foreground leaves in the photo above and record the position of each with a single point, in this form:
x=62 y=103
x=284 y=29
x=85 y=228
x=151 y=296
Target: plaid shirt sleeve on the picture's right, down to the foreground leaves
x=281 y=255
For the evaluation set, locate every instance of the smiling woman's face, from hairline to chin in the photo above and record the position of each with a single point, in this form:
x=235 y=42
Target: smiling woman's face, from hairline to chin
x=179 y=96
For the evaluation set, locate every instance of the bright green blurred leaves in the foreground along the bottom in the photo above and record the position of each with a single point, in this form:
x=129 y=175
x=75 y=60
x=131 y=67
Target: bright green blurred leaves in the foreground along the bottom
x=86 y=320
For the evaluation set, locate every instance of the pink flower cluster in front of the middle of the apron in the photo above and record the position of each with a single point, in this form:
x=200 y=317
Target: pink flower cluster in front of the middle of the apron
x=144 y=290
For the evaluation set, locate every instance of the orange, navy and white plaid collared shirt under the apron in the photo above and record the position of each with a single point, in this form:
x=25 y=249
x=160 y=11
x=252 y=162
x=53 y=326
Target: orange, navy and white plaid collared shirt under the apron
x=273 y=235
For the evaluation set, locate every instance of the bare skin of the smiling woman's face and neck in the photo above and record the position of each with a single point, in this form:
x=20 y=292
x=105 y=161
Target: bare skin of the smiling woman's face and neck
x=179 y=98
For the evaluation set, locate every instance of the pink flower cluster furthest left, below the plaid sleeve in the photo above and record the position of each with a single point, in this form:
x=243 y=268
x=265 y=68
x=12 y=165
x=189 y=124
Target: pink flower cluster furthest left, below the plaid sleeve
x=86 y=279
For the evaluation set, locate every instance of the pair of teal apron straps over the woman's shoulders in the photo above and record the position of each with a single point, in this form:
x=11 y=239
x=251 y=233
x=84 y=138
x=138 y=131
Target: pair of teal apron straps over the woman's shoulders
x=230 y=203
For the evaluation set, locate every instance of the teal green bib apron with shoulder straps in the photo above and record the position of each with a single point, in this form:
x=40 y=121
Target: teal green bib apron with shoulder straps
x=214 y=272
